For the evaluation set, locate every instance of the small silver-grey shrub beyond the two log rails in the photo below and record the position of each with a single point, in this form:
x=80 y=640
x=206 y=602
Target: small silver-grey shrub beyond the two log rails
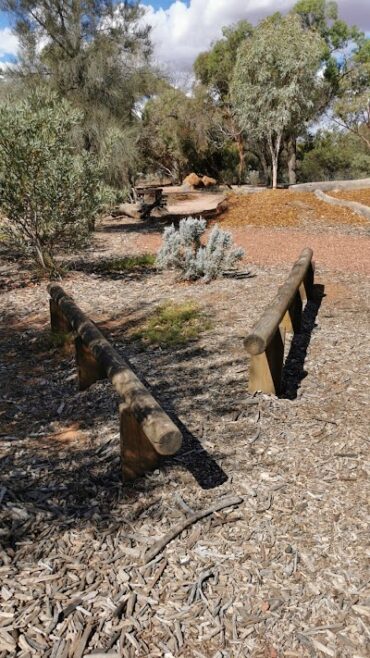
x=182 y=250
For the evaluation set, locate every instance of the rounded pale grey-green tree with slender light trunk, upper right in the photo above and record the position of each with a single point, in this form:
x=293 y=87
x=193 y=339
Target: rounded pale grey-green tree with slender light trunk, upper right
x=274 y=87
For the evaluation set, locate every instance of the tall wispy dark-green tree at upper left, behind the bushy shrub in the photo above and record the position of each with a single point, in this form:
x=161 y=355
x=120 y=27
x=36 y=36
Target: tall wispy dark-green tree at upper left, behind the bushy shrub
x=95 y=54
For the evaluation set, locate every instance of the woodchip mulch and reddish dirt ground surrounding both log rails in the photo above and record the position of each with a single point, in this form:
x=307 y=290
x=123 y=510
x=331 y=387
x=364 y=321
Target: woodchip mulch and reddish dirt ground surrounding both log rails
x=284 y=573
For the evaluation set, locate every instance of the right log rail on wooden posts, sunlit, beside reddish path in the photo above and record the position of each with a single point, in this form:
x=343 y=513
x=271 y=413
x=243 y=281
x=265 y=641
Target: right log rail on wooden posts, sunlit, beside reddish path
x=265 y=343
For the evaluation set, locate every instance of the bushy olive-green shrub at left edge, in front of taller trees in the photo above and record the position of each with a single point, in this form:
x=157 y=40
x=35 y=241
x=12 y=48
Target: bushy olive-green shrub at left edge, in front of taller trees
x=48 y=194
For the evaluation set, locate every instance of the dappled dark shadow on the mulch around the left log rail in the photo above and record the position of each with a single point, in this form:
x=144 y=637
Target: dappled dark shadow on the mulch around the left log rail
x=58 y=458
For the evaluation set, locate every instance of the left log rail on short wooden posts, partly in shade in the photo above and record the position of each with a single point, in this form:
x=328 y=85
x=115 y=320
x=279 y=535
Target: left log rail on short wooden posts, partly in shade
x=146 y=430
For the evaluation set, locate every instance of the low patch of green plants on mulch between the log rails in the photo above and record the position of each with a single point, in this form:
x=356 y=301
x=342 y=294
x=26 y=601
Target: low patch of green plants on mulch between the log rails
x=173 y=324
